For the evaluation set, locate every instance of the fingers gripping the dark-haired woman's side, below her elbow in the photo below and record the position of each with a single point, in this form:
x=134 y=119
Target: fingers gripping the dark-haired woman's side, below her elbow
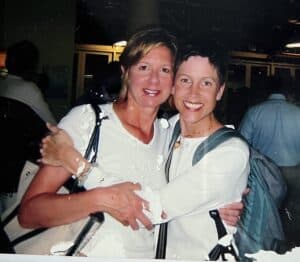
x=231 y=213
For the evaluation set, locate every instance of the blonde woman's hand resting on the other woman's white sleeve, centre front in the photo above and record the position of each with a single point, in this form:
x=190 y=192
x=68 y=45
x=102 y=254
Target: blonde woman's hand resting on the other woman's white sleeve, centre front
x=126 y=206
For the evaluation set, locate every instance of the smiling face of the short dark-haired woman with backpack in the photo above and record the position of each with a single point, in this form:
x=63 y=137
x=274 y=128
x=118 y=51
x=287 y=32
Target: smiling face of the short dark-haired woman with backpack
x=196 y=89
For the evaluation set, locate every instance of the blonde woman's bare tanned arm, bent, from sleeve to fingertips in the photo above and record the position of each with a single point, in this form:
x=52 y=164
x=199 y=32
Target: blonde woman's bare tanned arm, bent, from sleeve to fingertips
x=41 y=206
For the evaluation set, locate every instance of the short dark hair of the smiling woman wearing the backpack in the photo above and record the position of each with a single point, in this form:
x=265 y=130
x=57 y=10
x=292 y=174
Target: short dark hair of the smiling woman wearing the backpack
x=217 y=56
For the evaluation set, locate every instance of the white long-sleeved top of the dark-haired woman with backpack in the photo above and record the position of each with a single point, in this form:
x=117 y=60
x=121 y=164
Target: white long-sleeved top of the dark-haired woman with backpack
x=218 y=179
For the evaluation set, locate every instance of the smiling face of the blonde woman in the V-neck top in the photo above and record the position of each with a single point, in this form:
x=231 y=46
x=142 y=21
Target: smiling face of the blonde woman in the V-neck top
x=150 y=80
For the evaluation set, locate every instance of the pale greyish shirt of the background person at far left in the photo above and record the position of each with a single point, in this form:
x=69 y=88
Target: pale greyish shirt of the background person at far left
x=27 y=92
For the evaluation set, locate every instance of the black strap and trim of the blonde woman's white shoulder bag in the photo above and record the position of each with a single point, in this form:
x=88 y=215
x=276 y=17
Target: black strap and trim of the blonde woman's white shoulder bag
x=72 y=185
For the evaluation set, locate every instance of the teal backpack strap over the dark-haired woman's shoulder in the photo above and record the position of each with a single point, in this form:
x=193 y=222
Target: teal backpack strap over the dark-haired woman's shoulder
x=213 y=141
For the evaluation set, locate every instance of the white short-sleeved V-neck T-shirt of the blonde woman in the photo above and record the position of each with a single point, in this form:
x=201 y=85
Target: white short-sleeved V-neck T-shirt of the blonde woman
x=121 y=157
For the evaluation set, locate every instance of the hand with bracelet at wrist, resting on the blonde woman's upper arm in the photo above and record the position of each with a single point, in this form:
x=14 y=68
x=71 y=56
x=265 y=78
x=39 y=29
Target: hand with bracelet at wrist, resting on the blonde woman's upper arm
x=57 y=150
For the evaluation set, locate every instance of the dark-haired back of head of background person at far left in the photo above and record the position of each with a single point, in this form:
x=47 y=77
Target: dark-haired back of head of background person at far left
x=22 y=58
